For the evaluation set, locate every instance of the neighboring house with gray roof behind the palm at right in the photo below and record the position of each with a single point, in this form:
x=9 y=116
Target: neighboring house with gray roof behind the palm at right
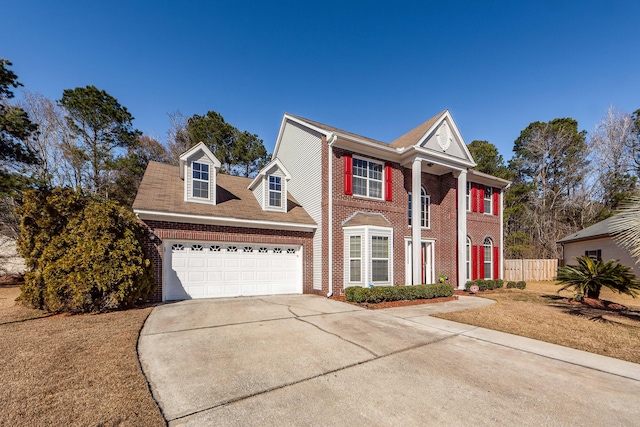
x=596 y=242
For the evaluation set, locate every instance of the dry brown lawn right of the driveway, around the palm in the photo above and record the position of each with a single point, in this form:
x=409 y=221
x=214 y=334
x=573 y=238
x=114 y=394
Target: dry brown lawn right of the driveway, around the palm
x=538 y=312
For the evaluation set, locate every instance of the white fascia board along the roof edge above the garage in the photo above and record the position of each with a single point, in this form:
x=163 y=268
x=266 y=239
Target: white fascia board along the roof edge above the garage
x=225 y=221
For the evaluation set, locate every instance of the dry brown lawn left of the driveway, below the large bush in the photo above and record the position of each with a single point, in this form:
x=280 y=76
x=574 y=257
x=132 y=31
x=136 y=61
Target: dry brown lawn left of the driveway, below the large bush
x=72 y=370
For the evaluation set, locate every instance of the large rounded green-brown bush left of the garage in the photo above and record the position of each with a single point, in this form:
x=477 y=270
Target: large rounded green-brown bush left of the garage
x=83 y=253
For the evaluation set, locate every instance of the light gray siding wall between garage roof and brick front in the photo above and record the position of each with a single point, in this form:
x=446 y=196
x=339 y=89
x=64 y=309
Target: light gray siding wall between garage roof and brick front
x=300 y=153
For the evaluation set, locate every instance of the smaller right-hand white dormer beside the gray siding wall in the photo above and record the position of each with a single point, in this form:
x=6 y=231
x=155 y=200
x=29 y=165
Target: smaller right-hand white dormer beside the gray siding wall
x=270 y=187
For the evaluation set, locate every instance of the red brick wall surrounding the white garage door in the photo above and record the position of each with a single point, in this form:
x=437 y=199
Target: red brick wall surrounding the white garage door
x=161 y=230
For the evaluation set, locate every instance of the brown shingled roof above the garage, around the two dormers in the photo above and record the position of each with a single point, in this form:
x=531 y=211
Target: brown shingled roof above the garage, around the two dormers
x=162 y=192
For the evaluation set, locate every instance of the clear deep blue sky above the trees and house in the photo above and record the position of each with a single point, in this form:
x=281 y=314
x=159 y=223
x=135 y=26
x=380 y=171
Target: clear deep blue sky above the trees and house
x=374 y=68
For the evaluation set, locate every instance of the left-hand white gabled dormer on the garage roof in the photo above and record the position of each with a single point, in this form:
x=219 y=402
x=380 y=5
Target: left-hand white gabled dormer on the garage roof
x=199 y=169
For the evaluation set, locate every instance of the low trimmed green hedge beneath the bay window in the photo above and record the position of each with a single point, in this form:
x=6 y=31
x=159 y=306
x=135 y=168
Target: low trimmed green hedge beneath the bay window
x=378 y=294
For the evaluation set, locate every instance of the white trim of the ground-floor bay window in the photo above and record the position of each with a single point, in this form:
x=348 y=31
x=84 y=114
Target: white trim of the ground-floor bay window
x=366 y=232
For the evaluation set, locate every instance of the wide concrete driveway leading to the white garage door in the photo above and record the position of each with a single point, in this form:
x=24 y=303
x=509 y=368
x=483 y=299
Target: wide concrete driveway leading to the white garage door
x=308 y=360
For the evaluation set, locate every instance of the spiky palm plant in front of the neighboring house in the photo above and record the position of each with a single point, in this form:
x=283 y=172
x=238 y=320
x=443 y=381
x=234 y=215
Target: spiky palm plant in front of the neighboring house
x=590 y=276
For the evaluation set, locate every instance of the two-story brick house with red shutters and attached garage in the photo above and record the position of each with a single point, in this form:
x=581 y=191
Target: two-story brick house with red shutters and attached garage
x=332 y=209
